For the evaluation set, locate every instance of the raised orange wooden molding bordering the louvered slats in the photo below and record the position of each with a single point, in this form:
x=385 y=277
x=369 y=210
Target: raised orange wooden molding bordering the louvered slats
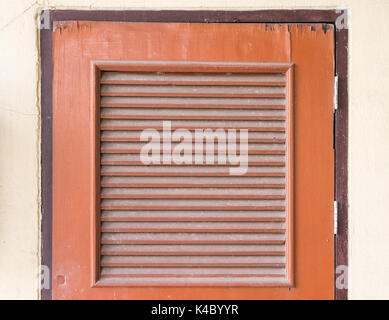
x=136 y=66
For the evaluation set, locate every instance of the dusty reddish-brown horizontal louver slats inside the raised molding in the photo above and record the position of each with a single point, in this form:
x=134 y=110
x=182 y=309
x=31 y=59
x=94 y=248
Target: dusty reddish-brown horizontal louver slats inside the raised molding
x=194 y=223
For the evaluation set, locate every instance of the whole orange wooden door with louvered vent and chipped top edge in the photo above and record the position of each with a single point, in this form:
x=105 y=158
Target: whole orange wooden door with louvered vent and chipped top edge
x=281 y=92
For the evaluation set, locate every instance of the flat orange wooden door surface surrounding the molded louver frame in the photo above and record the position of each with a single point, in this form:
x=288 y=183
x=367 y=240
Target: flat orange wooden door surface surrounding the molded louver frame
x=66 y=173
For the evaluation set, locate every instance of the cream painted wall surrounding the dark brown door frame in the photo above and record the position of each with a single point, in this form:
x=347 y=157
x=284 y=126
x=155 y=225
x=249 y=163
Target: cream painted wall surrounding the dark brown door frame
x=20 y=134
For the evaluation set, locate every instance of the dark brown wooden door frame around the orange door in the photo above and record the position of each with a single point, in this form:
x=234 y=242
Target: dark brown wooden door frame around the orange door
x=47 y=17
